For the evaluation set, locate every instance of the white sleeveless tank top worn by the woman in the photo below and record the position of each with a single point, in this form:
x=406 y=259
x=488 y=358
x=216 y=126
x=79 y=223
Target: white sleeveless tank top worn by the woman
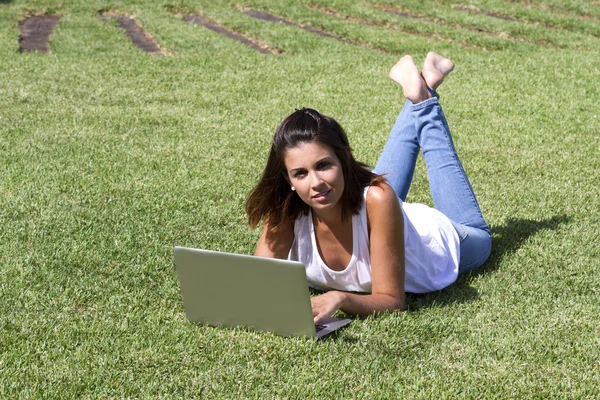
x=431 y=248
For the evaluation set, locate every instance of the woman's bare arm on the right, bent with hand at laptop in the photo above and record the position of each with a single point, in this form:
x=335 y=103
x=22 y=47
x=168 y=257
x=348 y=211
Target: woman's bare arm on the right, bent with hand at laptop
x=387 y=261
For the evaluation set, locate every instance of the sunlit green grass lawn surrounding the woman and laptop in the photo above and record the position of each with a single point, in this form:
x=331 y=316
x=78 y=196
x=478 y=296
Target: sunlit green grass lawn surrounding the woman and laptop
x=109 y=157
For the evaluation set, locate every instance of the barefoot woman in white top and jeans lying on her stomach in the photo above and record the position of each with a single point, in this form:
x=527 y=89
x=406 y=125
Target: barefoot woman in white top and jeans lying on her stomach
x=349 y=226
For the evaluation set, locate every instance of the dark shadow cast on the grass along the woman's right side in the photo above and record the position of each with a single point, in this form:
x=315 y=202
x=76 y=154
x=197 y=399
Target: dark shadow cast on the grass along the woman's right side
x=507 y=239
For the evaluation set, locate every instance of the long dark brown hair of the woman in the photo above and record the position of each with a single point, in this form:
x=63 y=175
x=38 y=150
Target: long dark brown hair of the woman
x=273 y=200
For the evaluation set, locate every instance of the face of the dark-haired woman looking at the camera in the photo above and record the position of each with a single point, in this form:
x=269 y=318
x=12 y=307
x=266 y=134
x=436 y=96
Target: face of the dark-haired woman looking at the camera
x=316 y=173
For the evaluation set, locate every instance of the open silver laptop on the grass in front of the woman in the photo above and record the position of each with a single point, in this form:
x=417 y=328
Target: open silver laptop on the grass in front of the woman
x=225 y=289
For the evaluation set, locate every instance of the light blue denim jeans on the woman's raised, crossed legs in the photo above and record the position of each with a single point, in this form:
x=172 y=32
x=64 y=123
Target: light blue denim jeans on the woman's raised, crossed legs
x=424 y=126
